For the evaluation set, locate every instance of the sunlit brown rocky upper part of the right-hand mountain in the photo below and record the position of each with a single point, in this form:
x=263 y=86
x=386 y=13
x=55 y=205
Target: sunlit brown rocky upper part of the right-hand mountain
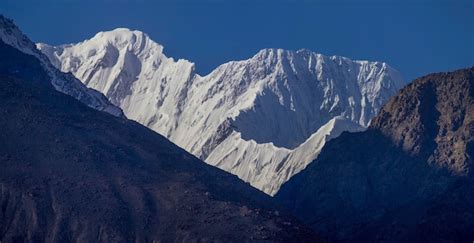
x=433 y=119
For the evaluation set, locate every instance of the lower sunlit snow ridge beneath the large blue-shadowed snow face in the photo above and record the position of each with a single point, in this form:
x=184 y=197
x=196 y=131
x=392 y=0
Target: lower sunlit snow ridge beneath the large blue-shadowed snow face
x=266 y=166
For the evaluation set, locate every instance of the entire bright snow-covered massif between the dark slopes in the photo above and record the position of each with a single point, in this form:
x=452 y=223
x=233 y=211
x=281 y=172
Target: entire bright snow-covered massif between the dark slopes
x=263 y=119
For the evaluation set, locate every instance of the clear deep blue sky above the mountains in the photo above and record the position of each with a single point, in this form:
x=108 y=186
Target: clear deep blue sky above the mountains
x=416 y=37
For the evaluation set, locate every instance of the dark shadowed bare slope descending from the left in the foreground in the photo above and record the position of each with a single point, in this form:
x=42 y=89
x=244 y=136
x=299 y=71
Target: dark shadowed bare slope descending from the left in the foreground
x=72 y=173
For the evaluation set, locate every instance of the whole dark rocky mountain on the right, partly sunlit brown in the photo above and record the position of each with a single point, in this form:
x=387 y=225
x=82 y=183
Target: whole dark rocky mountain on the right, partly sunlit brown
x=409 y=177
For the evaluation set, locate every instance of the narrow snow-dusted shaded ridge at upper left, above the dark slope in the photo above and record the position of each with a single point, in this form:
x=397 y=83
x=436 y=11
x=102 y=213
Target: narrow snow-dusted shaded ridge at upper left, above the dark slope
x=63 y=82
